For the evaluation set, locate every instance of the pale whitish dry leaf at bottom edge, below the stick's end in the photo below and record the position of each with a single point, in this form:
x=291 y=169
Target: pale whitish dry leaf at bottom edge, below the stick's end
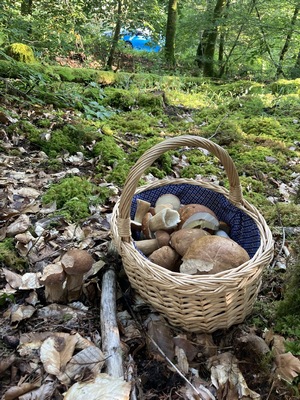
x=101 y=387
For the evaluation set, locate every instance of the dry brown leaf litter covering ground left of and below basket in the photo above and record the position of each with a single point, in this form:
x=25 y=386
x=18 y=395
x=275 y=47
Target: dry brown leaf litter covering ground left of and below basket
x=53 y=351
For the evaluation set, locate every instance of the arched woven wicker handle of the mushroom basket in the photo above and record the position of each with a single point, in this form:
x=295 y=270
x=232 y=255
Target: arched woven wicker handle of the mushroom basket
x=147 y=159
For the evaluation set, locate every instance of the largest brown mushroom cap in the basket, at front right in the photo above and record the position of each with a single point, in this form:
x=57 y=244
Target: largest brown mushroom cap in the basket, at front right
x=212 y=254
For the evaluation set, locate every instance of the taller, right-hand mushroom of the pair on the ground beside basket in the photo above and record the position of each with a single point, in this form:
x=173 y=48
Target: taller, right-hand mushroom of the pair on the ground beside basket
x=76 y=263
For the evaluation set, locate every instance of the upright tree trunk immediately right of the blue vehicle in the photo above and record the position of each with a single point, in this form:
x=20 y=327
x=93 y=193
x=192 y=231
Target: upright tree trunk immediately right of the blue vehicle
x=170 y=33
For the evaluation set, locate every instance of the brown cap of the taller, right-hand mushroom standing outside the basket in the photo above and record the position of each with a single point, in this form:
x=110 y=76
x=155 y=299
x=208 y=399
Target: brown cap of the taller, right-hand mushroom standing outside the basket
x=77 y=262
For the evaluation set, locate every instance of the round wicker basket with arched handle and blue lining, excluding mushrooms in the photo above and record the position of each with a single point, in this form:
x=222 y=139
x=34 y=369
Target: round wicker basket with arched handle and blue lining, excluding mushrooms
x=196 y=303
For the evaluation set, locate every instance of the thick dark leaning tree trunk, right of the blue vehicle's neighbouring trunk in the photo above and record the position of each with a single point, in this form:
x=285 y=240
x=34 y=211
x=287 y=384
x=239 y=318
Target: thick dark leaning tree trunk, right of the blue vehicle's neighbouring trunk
x=207 y=45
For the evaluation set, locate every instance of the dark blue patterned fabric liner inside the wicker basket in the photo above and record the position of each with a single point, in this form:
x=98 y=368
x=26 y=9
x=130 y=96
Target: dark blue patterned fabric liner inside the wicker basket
x=243 y=228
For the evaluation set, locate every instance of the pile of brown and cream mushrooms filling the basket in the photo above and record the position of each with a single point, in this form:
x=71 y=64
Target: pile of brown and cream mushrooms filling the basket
x=185 y=238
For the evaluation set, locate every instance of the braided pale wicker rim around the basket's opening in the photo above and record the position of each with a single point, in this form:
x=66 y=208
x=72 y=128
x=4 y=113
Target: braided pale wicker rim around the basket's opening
x=260 y=259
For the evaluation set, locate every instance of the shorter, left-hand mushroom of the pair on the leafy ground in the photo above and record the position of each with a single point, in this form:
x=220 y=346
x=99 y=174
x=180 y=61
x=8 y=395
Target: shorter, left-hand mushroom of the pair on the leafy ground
x=53 y=278
